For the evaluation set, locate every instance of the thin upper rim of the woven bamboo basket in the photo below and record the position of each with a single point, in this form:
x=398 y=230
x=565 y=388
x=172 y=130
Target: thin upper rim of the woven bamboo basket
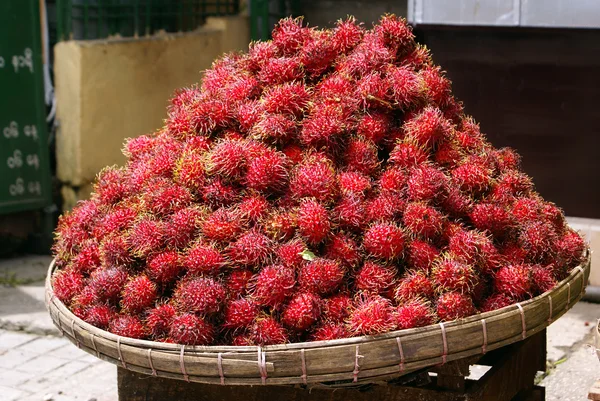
x=581 y=268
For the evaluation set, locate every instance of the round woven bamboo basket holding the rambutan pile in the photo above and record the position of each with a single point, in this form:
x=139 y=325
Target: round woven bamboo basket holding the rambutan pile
x=343 y=362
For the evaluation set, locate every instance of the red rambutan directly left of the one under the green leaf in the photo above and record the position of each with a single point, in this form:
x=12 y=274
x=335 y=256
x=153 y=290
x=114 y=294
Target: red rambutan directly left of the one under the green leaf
x=273 y=285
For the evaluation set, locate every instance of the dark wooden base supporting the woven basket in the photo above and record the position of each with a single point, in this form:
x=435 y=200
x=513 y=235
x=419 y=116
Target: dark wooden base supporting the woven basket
x=511 y=377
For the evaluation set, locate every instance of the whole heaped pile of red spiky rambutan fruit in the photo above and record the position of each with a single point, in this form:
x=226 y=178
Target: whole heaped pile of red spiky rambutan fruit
x=324 y=185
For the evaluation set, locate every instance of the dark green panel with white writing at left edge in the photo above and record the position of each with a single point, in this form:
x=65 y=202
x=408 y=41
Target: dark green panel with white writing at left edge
x=24 y=164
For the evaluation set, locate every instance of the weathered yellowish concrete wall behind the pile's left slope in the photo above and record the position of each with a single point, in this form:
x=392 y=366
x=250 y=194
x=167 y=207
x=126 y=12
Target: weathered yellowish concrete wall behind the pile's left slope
x=109 y=90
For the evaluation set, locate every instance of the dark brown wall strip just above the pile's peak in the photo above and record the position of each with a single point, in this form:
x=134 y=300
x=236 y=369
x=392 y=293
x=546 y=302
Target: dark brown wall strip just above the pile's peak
x=325 y=12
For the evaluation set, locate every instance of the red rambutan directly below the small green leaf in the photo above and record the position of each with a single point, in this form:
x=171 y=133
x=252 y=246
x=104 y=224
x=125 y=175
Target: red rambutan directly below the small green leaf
x=321 y=276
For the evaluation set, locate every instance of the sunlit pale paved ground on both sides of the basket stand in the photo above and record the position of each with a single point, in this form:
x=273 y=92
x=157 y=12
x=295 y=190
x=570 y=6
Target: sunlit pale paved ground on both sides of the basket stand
x=37 y=364
